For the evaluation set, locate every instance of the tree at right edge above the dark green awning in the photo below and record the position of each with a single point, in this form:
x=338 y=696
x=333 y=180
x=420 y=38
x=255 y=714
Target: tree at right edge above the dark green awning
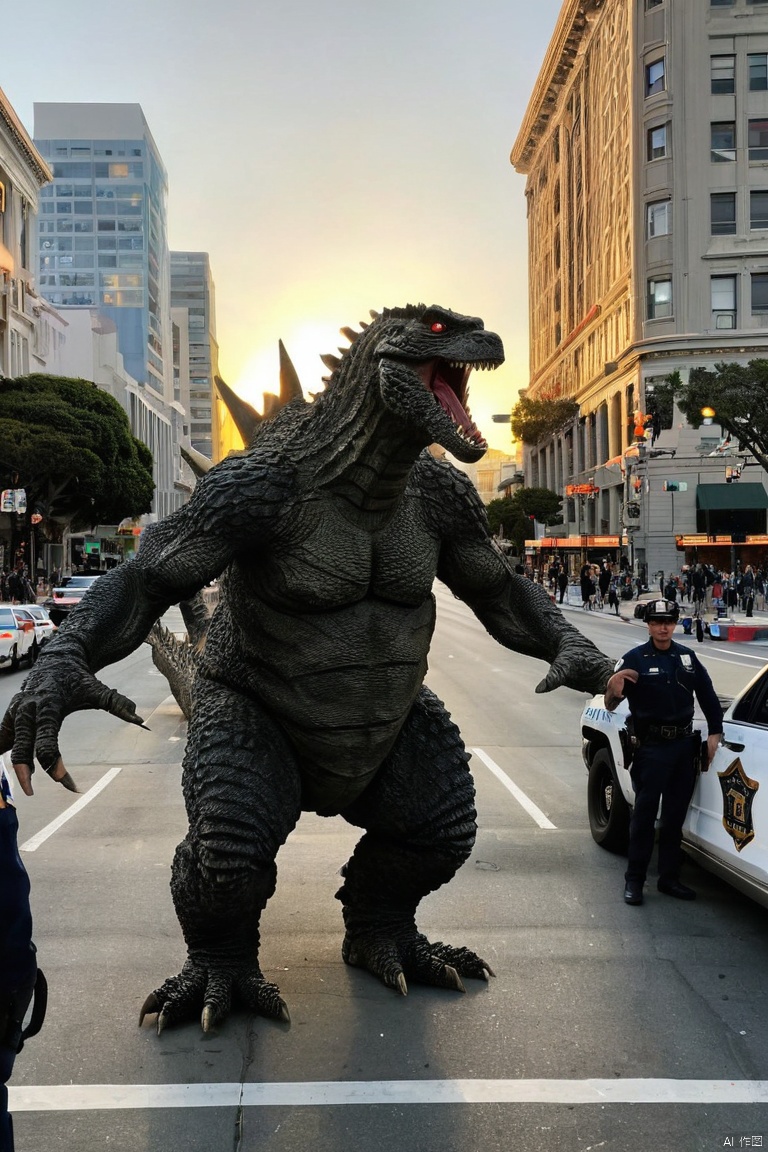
x=739 y=395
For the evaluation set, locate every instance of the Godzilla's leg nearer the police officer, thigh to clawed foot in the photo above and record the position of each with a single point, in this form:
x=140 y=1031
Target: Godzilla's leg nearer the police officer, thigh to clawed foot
x=421 y=821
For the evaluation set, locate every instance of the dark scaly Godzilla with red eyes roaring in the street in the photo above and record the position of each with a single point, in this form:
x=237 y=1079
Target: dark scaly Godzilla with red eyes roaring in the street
x=328 y=534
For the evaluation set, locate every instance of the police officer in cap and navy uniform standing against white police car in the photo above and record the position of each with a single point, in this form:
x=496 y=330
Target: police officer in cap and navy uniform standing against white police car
x=660 y=680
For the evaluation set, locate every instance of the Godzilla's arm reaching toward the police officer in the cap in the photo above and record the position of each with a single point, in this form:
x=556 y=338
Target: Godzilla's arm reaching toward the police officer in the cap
x=515 y=611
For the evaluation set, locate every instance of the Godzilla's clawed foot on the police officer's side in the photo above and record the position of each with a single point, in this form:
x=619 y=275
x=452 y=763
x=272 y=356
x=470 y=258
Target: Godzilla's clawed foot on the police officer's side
x=394 y=958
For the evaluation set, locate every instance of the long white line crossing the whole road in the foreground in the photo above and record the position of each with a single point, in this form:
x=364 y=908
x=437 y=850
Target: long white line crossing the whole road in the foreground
x=324 y=1094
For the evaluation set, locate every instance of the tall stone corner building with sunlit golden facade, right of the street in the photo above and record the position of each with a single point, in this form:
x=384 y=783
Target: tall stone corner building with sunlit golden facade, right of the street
x=645 y=146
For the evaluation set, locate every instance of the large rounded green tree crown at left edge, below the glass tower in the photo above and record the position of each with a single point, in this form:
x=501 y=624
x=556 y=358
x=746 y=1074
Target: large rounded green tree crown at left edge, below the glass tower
x=71 y=446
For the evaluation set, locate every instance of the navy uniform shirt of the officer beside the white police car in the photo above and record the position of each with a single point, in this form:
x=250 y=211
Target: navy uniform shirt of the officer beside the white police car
x=668 y=681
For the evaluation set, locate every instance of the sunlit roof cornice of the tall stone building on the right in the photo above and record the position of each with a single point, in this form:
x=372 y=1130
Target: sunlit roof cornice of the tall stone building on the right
x=572 y=26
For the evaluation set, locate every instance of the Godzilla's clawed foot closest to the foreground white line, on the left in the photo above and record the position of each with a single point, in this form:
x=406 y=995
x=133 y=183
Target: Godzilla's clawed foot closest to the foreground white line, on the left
x=214 y=990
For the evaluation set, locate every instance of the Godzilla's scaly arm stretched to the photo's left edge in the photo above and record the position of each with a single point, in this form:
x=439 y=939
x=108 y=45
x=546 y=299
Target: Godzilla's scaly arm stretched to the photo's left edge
x=232 y=510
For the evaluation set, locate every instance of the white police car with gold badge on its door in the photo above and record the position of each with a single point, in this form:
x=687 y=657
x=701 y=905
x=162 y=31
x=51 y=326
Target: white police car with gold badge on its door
x=727 y=824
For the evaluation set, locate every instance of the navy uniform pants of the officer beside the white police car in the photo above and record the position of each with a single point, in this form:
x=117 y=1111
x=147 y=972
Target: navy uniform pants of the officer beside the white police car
x=665 y=771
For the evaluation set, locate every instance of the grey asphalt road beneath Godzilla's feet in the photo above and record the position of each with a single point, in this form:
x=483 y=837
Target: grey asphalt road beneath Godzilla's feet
x=613 y=1028
